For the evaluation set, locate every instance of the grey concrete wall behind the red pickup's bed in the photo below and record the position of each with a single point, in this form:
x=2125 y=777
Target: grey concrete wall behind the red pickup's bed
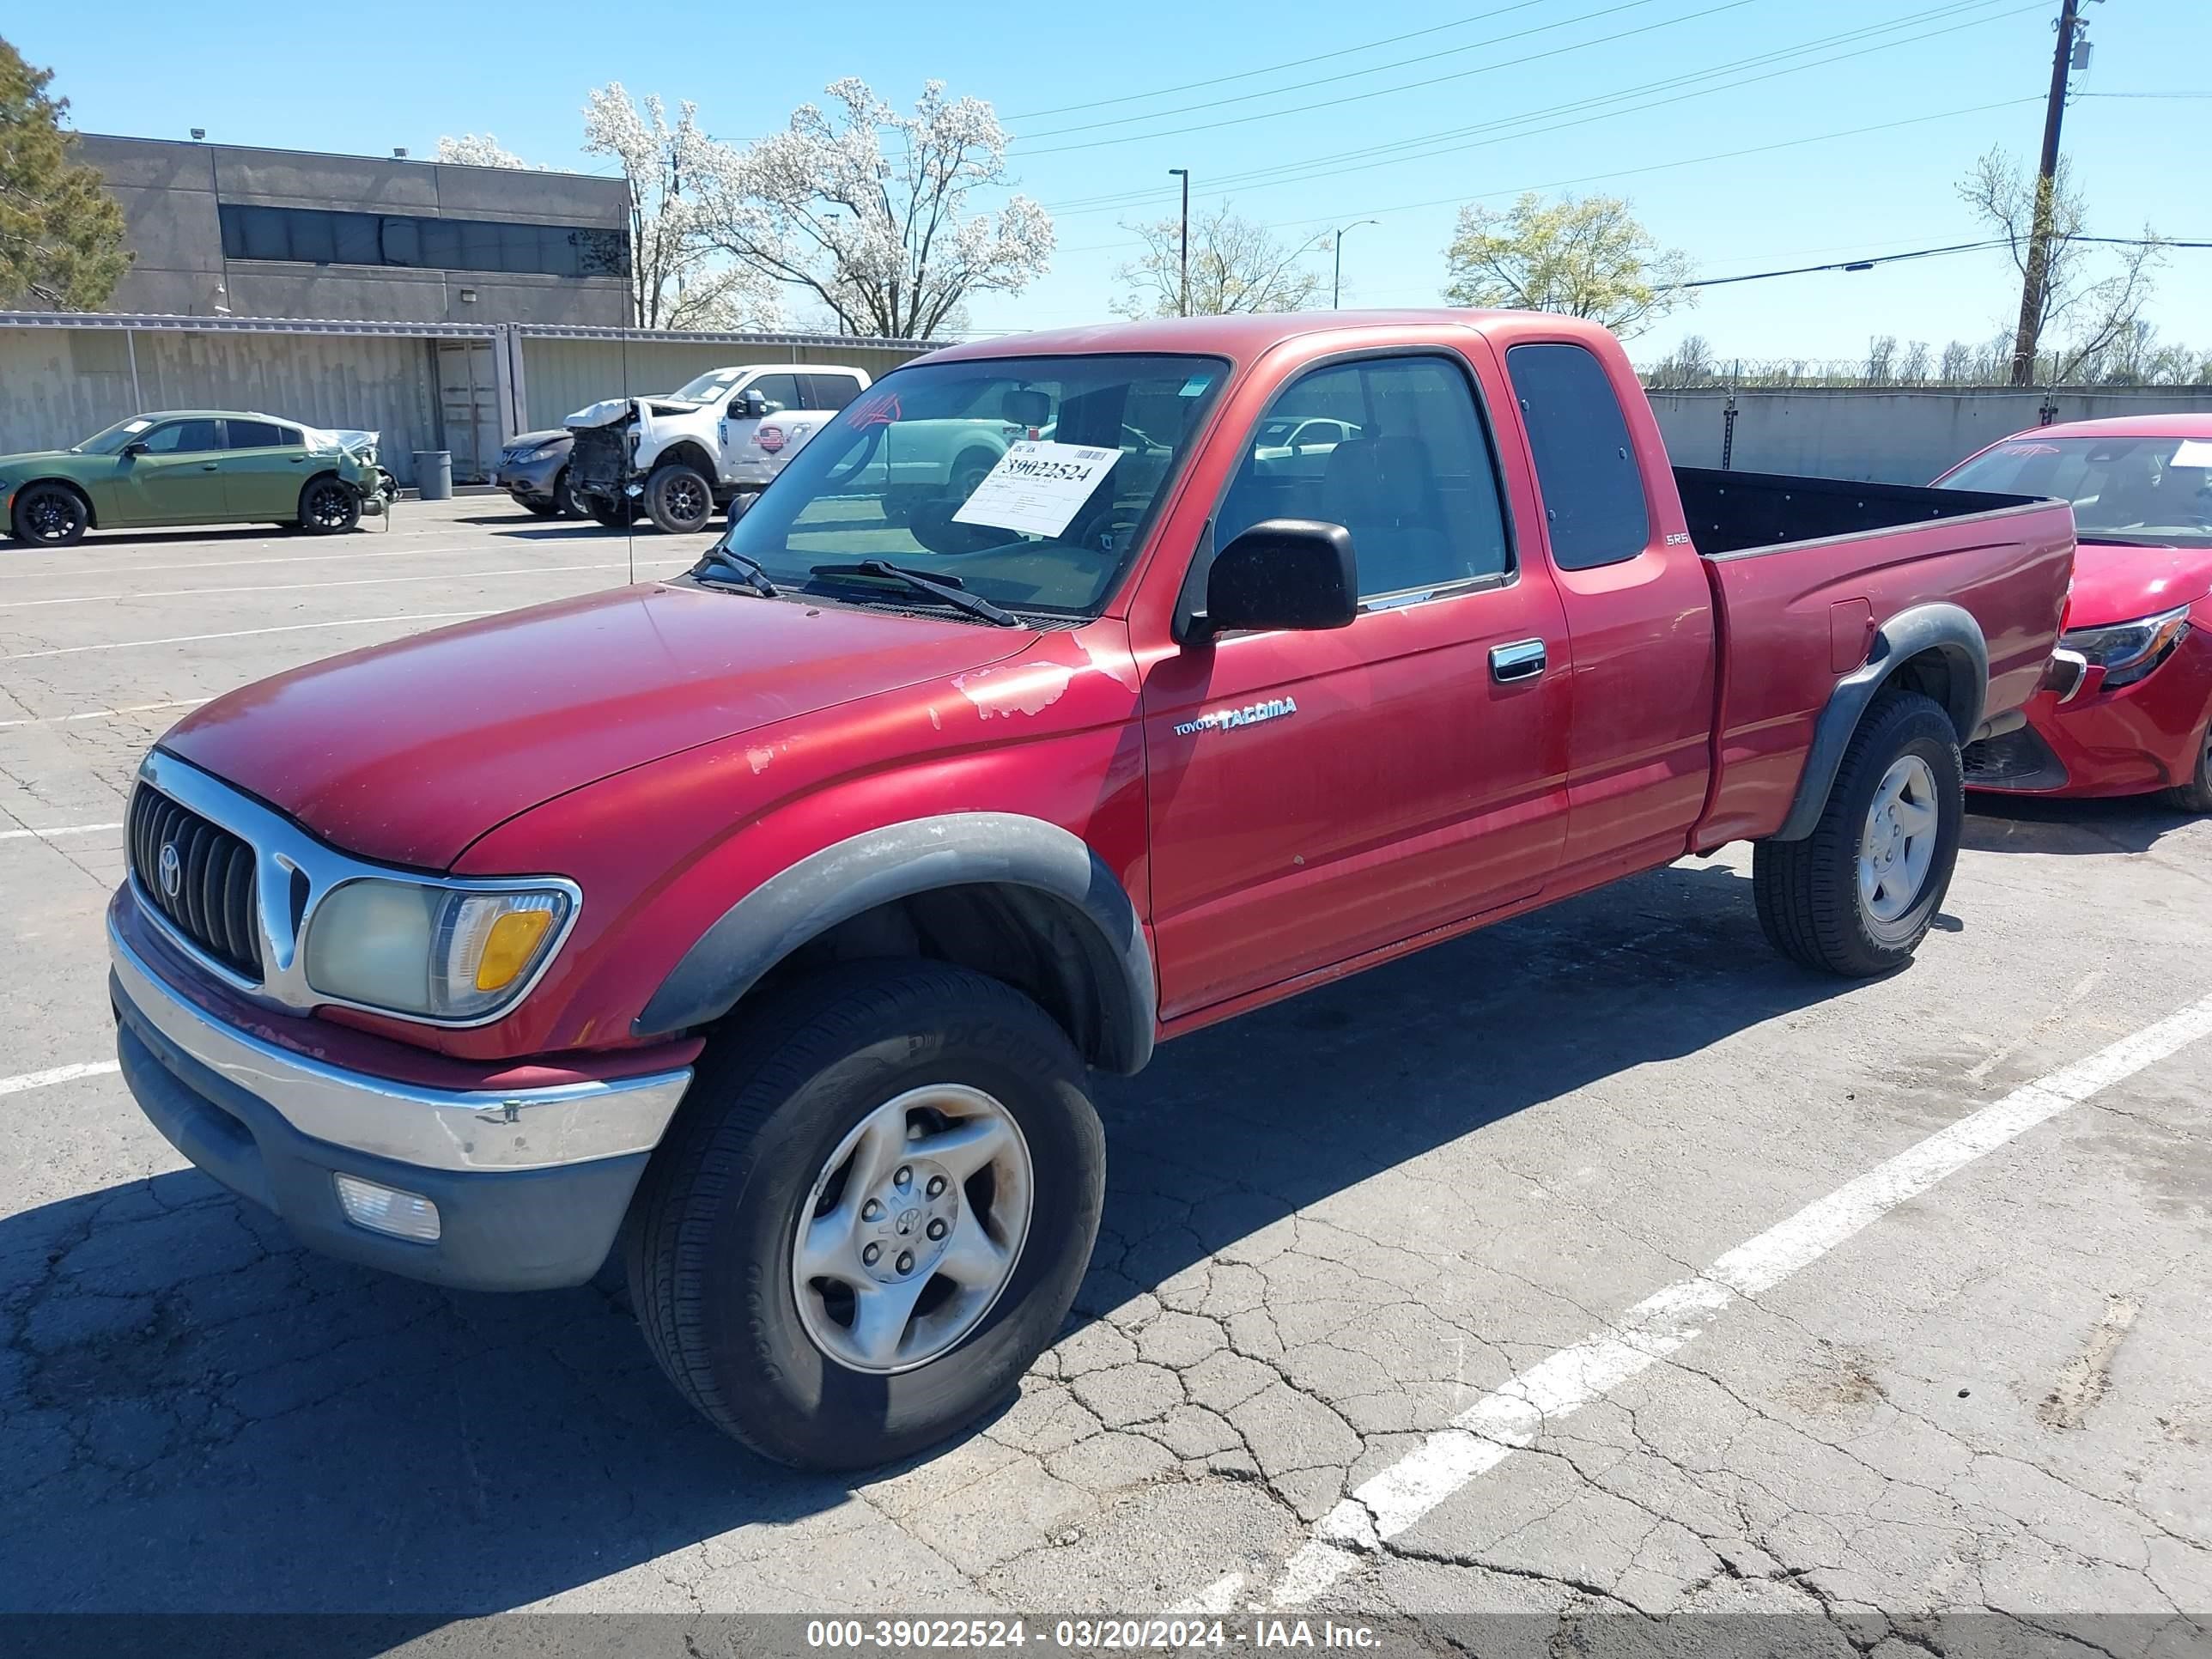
x=1872 y=435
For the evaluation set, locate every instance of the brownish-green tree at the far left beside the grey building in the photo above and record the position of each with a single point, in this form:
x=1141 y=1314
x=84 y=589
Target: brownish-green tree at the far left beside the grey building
x=61 y=231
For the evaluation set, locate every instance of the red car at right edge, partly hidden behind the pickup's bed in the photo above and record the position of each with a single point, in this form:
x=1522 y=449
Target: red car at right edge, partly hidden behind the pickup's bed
x=2136 y=711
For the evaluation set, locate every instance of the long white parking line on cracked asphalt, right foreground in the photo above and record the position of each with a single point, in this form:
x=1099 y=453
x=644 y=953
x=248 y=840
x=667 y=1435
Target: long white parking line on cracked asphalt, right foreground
x=1514 y=1415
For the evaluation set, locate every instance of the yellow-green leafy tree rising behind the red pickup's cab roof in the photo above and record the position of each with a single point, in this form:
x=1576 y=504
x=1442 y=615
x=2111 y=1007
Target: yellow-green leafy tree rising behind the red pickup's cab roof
x=1587 y=258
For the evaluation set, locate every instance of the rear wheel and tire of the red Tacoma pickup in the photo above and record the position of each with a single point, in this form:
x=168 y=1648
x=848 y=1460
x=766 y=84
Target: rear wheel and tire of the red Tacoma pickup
x=1813 y=895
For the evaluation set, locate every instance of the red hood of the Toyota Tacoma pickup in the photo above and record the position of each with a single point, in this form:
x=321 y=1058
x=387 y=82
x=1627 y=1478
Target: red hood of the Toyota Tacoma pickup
x=415 y=749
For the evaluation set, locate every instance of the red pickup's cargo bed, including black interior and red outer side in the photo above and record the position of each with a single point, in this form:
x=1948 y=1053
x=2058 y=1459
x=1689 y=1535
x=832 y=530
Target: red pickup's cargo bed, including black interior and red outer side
x=1806 y=570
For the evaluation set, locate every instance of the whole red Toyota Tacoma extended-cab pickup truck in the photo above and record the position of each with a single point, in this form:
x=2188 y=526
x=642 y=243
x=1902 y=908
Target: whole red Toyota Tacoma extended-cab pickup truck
x=769 y=919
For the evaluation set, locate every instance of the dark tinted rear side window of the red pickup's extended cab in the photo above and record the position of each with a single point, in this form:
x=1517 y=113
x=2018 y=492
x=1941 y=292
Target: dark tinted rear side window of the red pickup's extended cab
x=1585 y=463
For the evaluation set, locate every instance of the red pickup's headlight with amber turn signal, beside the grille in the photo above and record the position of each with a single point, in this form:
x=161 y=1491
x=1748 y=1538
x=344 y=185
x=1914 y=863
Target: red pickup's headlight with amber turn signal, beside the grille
x=437 y=952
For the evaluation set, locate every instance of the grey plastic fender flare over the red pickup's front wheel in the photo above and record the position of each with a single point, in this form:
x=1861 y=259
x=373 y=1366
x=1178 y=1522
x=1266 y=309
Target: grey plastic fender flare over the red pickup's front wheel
x=899 y=862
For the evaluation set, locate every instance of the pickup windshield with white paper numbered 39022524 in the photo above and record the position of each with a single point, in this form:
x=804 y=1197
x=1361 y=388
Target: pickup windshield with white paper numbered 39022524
x=1030 y=481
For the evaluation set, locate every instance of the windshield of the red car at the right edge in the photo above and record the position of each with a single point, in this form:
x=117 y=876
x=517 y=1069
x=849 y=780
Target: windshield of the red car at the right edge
x=2147 y=492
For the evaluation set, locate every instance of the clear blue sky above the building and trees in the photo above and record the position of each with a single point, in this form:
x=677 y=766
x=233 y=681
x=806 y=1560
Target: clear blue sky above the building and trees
x=1939 y=81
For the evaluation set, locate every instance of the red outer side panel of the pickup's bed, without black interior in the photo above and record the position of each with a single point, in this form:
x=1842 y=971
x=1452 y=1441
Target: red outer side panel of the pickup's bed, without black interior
x=1799 y=618
